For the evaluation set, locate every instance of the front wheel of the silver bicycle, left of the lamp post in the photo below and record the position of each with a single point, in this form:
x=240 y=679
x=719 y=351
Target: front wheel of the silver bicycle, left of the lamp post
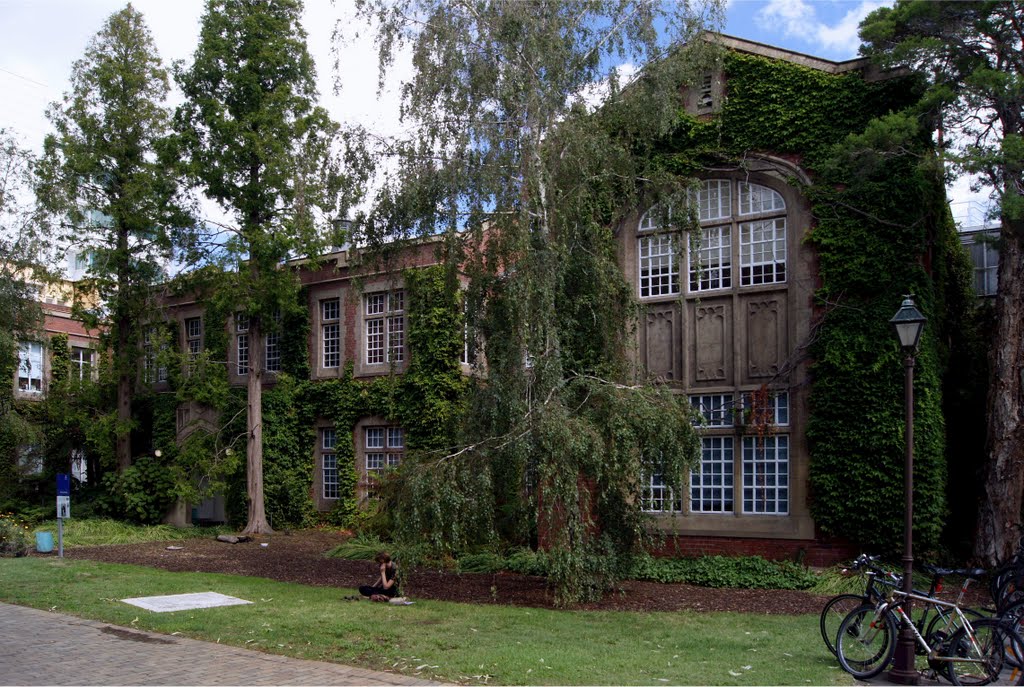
x=865 y=643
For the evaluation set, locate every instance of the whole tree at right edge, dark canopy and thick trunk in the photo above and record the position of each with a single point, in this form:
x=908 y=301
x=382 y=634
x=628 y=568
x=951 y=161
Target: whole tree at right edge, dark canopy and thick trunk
x=973 y=56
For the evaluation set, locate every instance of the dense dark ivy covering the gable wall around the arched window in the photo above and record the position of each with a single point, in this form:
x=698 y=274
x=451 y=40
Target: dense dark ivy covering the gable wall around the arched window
x=881 y=230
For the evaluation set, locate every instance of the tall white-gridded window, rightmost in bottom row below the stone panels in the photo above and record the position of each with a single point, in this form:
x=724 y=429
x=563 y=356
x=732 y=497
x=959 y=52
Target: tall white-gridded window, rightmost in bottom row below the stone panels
x=766 y=475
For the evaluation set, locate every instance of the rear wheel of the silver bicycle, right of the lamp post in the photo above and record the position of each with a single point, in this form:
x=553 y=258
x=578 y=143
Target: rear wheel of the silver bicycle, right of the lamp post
x=977 y=658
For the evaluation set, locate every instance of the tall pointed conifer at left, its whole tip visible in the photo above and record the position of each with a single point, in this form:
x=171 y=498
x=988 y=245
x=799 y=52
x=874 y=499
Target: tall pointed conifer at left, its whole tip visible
x=104 y=186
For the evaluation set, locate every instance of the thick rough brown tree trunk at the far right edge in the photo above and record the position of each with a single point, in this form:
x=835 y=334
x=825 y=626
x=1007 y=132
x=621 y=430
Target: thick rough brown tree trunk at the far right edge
x=1000 y=513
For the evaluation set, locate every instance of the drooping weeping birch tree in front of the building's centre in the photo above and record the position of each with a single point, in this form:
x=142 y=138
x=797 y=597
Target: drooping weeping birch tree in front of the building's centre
x=526 y=182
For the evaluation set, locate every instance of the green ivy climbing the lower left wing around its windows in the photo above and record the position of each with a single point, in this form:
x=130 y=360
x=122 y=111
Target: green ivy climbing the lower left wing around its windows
x=426 y=402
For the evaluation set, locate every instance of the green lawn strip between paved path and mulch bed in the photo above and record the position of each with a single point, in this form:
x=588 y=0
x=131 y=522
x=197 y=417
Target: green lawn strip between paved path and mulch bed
x=443 y=641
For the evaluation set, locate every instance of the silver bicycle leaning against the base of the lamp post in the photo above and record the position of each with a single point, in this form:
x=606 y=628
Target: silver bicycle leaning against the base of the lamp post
x=973 y=655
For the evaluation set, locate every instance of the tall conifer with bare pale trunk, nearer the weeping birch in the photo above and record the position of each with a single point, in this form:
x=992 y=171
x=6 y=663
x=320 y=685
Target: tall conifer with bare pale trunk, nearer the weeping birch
x=251 y=135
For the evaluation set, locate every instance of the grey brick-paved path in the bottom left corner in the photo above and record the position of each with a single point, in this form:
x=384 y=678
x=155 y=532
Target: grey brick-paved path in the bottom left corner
x=42 y=649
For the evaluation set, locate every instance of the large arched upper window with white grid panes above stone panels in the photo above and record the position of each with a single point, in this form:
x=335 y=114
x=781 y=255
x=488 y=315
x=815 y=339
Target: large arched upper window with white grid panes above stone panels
x=727 y=210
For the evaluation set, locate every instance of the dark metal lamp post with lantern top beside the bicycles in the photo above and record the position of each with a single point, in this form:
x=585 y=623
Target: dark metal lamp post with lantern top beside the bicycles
x=909 y=323
